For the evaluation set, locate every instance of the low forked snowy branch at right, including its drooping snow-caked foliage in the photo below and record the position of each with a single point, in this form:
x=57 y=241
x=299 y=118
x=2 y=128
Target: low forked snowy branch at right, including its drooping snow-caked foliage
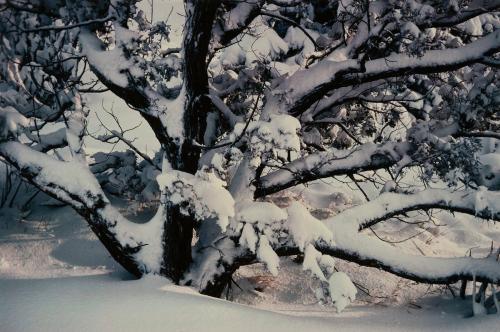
x=339 y=237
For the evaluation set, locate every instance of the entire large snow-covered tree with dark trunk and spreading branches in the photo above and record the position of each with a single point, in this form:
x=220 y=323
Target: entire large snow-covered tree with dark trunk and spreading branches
x=262 y=96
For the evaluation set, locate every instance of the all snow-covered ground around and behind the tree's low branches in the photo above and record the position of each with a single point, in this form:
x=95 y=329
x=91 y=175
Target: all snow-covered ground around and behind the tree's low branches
x=55 y=276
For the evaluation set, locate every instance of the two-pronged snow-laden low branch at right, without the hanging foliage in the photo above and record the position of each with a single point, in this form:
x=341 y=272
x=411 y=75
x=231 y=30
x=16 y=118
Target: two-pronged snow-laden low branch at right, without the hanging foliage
x=368 y=251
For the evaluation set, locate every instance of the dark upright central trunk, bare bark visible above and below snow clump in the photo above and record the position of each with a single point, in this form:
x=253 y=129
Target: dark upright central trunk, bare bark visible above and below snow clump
x=178 y=229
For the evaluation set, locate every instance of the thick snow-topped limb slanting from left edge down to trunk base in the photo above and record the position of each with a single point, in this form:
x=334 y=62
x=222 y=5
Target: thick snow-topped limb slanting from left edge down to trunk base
x=137 y=247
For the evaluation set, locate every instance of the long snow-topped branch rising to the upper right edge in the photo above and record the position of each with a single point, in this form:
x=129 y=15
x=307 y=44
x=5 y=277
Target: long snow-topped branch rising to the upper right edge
x=309 y=85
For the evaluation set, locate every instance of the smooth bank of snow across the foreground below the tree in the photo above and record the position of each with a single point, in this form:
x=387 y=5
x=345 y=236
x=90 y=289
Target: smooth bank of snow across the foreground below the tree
x=110 y=303
